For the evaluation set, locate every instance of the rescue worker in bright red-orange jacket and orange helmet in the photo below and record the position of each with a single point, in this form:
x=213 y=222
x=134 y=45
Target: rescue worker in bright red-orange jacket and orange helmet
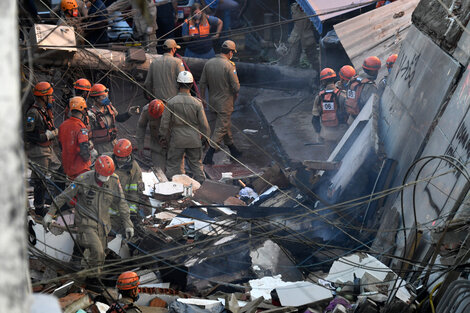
x=73 y=139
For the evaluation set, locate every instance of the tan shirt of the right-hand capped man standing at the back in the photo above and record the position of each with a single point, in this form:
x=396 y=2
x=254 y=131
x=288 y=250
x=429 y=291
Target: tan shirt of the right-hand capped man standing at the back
x=220 y=76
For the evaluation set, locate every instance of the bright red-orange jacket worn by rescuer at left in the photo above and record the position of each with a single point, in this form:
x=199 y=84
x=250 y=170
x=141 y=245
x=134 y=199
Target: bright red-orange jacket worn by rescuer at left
x=73 y=138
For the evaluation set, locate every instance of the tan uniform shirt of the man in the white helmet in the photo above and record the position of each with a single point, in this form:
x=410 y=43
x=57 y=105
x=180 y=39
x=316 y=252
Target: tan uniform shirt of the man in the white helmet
x=187 y=110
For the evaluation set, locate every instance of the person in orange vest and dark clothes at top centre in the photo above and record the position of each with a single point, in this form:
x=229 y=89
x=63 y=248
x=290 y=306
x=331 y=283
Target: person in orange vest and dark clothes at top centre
x=197 y=32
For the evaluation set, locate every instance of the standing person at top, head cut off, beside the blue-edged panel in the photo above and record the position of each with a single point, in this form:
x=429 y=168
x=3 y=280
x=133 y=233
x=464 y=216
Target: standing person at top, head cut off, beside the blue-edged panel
x=301 y=38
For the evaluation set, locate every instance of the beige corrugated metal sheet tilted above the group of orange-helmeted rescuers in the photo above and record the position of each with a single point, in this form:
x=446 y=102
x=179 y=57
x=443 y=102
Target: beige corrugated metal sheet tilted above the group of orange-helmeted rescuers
x=378 y=32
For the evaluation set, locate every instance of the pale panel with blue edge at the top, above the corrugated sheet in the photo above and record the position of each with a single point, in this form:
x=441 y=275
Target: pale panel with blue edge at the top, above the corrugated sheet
x=312 y=7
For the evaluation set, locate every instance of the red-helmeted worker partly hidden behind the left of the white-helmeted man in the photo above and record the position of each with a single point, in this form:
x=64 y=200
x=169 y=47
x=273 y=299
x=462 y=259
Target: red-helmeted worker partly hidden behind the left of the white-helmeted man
x=151 y=116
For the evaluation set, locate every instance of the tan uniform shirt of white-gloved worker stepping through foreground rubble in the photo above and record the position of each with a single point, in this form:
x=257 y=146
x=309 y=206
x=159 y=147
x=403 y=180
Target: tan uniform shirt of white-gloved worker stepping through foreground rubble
x=93 y=201
